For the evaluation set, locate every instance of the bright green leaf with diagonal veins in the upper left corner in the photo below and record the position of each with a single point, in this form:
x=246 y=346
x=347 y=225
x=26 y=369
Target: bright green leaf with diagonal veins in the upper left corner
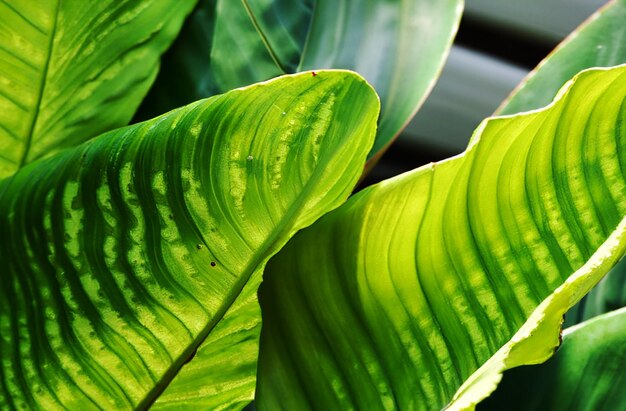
x=70 y=70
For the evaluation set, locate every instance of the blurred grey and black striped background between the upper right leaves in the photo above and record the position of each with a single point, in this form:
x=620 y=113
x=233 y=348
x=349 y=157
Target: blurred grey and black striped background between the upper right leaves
x=498 y=43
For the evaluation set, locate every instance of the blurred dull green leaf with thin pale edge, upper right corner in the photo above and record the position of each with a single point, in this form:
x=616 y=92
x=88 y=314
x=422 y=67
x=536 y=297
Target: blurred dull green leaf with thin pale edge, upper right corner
x=599 y=42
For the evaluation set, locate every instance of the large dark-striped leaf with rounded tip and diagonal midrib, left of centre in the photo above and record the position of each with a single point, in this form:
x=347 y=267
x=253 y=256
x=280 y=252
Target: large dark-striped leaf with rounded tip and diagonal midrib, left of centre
x=121 y=256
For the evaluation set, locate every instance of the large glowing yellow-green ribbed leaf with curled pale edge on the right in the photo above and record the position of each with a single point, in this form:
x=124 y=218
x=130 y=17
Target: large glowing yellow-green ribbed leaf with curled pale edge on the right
x=420 y=291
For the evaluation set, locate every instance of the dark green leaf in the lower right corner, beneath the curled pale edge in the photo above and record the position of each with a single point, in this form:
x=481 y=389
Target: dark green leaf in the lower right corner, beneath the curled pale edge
x=585 y=374
